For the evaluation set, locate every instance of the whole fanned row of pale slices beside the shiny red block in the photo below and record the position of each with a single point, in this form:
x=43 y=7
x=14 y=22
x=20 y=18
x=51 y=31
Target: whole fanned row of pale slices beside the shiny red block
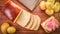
x=28 y=20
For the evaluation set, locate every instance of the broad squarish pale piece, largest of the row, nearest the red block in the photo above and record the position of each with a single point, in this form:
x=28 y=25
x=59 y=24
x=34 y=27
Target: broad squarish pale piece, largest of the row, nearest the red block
x=24 y=18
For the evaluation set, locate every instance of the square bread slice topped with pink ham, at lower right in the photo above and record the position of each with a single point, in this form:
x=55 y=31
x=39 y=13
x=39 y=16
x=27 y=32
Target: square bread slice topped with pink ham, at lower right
x=50 y=24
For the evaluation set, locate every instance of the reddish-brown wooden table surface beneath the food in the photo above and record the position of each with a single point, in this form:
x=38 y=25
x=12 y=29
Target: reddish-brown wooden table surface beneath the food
x=21 y=30
